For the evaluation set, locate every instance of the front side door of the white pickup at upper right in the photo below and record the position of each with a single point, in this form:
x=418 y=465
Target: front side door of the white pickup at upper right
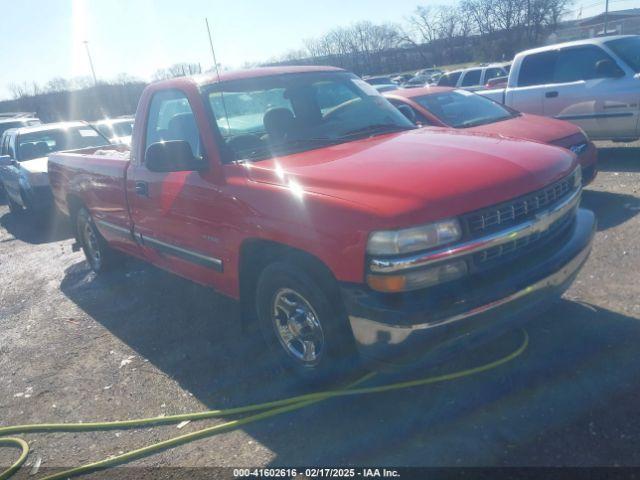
x=591 y=90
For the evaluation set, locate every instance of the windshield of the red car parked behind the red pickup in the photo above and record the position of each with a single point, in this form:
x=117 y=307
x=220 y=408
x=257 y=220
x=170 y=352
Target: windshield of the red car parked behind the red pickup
x=462 y=109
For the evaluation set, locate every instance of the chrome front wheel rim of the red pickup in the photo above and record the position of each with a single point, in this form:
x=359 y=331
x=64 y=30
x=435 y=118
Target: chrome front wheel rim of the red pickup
x=297 y=327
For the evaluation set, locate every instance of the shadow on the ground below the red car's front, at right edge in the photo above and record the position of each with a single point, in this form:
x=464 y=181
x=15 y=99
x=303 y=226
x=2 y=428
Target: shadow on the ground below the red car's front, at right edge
x=611 y=209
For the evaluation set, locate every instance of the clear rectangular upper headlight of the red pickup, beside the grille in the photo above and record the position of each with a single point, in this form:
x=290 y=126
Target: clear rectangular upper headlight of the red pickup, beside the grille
x=414 y=239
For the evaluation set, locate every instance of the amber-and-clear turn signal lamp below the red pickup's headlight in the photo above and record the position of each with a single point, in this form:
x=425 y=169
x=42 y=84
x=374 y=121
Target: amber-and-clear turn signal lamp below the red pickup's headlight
x=416 y=279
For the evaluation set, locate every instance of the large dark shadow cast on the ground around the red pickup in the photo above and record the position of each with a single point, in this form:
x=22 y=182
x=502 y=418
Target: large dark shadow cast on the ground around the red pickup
x=551 y=406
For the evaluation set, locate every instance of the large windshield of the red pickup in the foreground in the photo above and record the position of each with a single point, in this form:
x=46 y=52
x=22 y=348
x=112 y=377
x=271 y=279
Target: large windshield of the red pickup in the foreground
x=263 y=117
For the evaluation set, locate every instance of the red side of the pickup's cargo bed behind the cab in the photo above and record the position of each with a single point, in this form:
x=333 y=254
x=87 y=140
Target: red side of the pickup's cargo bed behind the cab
x=94 y=178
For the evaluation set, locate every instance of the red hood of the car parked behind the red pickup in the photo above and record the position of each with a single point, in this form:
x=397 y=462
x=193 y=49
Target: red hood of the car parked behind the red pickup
x=531 y=127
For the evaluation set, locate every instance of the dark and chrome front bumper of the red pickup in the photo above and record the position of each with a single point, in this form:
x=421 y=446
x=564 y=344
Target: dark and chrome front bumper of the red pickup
x=400 y=328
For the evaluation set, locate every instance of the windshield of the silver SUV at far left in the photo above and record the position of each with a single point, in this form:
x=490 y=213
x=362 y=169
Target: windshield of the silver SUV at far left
x=42 y=143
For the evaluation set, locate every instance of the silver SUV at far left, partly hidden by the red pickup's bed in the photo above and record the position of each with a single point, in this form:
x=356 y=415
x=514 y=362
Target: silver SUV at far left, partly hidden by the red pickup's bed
x=23 y=159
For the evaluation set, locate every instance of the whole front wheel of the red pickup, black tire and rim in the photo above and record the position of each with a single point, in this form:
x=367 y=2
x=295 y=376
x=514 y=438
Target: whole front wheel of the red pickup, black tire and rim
x=303 y=323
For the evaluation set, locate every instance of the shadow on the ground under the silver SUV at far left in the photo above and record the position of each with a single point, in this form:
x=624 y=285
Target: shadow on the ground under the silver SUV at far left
x=37 y=228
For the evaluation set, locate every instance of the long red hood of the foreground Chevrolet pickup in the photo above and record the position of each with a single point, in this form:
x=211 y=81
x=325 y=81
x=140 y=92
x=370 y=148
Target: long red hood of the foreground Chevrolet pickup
x=426 y=174
